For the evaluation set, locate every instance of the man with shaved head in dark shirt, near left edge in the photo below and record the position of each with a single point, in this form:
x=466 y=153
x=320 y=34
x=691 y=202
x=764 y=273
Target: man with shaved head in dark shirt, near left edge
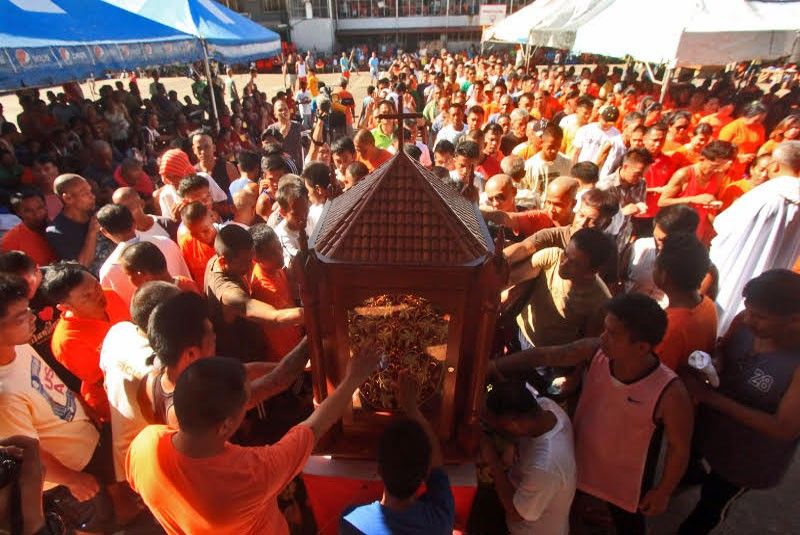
x=73 y=234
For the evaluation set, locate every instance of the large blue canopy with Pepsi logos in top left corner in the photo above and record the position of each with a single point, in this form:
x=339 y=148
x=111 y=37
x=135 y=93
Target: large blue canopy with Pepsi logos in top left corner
x=47 y=42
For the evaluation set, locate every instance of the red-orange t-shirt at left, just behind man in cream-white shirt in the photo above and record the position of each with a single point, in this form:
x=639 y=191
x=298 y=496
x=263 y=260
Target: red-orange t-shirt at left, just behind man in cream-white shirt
x=76 y=344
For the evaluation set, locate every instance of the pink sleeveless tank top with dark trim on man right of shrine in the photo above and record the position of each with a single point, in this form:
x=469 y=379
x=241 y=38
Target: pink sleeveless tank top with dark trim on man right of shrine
x=614 y=424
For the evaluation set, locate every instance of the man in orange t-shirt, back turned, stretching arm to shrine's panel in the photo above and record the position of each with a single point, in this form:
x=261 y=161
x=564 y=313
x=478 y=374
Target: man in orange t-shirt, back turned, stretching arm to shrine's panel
x=204 y=484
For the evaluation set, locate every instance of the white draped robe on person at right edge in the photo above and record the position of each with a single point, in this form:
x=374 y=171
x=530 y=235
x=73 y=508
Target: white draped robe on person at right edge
x=759 y=232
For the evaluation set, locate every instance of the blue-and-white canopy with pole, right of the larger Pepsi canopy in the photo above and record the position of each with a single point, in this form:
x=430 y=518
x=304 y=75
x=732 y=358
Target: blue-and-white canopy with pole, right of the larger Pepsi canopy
x=225 y=35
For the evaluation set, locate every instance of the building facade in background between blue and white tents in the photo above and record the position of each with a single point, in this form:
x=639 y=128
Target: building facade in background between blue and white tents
x=331 y=25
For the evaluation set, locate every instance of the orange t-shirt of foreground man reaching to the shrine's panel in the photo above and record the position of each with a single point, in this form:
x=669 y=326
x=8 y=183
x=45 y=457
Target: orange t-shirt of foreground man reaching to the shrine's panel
x=232 y=493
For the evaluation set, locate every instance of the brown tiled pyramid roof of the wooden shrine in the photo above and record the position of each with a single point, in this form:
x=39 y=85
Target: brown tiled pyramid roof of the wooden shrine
x=402 y=214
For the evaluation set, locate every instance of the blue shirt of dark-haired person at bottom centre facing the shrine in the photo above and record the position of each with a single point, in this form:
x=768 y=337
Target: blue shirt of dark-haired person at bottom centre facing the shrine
x=432 y=514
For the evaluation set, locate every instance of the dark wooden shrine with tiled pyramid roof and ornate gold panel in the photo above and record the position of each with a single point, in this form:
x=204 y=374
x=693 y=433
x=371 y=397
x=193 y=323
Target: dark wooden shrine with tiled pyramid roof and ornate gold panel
x=403 y=261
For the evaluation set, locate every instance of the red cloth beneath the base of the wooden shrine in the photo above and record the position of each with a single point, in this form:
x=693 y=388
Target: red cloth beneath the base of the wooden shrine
x=334 y=484
